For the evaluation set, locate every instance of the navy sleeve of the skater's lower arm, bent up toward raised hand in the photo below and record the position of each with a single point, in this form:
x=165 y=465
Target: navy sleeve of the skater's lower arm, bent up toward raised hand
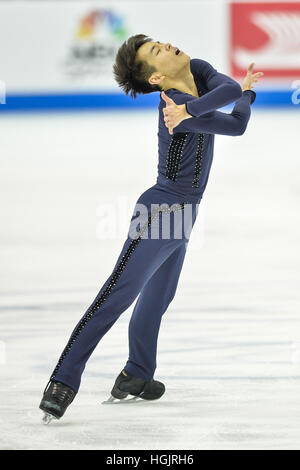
x=216 y=122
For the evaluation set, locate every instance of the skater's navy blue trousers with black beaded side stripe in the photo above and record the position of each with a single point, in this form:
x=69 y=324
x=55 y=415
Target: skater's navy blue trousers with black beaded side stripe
x=148 y=267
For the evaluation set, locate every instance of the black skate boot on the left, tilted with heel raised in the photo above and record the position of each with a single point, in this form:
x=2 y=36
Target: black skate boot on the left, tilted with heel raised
x=57 y=397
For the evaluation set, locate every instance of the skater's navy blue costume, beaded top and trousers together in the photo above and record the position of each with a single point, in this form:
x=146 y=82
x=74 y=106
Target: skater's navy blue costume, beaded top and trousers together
x=149 y=265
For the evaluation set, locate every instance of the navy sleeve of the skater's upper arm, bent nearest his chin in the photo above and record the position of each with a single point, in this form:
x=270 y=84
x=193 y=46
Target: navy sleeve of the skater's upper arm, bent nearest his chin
x=223 y=90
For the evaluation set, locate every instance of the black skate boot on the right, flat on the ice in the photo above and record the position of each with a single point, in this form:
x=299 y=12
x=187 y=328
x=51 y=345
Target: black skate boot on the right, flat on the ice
x=126 y=384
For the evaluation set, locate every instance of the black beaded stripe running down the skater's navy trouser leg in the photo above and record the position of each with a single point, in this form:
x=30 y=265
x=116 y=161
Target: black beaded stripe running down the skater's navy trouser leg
x=113 y=280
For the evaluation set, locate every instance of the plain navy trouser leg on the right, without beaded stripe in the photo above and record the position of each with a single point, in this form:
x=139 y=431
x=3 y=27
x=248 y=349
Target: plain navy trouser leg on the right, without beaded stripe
x=152 y=302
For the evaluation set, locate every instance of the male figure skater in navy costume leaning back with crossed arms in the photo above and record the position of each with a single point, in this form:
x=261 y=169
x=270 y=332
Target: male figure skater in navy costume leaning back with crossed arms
x=149 y=266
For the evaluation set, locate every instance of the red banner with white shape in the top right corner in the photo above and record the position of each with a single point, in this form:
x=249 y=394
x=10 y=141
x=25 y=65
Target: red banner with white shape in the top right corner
x=267 y=34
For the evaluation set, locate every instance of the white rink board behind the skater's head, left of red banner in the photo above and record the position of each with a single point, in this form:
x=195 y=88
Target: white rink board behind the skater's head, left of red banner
x=37 y=57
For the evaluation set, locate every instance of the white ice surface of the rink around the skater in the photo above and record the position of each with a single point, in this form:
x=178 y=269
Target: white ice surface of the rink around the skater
x=229 y=344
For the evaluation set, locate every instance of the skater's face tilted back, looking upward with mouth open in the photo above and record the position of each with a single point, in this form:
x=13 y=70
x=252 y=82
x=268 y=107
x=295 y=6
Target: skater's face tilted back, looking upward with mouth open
x=164 y=58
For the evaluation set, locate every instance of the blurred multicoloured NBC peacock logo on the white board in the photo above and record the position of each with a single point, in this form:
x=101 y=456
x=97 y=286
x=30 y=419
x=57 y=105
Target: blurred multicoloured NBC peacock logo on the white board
x=96 y=38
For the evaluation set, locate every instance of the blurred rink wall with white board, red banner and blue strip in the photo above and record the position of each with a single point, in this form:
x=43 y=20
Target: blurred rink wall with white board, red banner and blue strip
x=59 y=54
